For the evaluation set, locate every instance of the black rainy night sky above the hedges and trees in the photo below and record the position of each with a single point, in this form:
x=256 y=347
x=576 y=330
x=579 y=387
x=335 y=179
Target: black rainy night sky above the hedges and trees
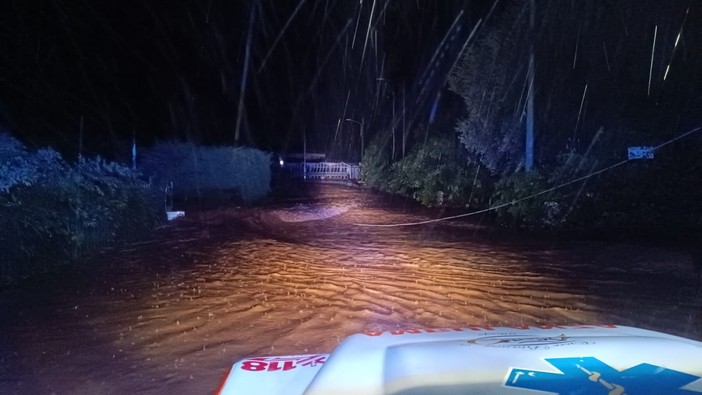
x=276 y=71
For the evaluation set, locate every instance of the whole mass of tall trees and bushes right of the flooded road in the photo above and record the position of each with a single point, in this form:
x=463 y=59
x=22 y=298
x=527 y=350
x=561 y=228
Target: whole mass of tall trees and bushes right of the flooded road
x=473 y=154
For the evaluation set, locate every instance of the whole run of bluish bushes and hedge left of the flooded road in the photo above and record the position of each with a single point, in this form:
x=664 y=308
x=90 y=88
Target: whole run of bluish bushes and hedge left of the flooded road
x=54 y=211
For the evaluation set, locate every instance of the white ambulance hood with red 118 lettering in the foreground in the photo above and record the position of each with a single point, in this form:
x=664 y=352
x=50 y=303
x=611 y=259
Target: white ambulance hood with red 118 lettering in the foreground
x=586 y=359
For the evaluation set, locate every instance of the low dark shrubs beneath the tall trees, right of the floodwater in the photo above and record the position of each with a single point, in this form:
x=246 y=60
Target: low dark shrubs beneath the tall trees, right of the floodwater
x=562 y=194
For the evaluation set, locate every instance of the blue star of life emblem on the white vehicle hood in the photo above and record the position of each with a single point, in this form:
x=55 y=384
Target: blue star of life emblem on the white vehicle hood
x=589 y=375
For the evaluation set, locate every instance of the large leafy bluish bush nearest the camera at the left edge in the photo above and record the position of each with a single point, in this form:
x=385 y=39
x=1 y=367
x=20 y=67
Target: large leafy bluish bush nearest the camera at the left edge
x=53 y=211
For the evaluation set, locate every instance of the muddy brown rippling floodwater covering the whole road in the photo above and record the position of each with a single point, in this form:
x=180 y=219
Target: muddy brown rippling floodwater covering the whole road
x=170 y=314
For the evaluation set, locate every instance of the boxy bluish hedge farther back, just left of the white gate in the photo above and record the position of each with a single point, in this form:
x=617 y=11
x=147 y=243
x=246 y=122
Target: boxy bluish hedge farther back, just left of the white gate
x=194 y=169
